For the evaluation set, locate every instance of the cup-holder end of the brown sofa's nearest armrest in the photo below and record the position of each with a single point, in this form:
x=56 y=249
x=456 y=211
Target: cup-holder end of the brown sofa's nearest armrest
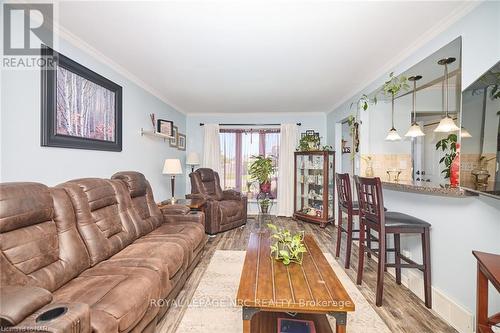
x=57 y=318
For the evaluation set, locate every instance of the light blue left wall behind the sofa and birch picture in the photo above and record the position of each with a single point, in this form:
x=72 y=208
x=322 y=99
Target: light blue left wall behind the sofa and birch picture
x=23 y=159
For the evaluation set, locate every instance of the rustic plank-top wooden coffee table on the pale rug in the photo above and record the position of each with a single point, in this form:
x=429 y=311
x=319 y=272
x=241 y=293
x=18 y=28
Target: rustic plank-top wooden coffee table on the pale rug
x=269 y=290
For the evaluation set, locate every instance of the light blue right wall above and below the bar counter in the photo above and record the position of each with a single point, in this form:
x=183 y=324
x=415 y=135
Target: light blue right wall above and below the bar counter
x=458 y=225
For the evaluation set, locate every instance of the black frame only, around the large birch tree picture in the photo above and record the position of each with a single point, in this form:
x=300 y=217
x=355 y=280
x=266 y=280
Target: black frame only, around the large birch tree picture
x=49 y=136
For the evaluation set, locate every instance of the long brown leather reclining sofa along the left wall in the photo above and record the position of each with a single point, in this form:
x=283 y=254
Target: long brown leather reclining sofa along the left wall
x=96 y=252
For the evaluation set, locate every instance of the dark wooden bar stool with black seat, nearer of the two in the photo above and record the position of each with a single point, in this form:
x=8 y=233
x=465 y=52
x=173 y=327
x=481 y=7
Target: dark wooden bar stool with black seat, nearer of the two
x=373 y=216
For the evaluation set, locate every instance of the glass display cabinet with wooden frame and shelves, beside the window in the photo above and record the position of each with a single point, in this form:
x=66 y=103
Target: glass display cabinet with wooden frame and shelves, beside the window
x=314 y=187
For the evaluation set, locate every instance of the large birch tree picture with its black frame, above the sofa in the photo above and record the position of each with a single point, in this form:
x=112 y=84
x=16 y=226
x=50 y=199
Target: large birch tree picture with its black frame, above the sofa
x=80 y=108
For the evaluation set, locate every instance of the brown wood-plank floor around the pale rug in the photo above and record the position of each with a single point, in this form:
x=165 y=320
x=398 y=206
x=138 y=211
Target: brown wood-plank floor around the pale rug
x=402 y=311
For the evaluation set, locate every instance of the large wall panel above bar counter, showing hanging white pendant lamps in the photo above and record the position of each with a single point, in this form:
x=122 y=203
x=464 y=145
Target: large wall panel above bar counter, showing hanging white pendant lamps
x=401 y=146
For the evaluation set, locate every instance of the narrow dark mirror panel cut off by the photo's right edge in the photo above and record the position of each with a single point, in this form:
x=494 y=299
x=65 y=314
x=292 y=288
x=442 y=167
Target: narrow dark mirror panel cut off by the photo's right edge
x=480 y=149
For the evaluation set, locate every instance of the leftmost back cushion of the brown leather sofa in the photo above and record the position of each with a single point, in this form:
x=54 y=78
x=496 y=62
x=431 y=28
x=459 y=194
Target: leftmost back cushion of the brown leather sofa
x=40 y=245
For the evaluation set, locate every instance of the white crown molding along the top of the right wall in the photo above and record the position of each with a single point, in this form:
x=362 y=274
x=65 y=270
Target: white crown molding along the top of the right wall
x=425 y=38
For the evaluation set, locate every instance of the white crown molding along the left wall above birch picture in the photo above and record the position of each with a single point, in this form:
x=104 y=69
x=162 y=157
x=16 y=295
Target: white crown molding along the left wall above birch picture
x=68 y=36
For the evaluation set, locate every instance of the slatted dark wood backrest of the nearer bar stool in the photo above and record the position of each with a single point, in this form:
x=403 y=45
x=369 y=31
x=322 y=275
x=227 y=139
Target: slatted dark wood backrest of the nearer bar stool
x=371 y=201
